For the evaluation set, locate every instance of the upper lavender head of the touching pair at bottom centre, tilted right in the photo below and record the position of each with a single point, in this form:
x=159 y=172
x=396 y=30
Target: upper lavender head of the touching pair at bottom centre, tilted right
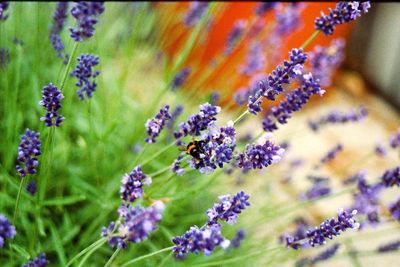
x=228 y=209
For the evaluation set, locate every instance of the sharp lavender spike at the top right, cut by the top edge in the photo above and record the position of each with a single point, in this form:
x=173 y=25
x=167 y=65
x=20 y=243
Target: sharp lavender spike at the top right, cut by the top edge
x=344 y=12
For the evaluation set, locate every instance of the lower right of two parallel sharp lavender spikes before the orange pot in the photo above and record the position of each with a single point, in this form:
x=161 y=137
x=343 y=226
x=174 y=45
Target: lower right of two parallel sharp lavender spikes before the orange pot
x=294 y=101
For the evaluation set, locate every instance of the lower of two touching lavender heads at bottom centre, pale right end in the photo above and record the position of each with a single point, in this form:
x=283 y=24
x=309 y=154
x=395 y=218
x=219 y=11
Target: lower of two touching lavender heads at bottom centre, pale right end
x=196 y=240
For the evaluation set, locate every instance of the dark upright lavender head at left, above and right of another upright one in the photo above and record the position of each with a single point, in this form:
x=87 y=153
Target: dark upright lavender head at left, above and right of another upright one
x=51 y=101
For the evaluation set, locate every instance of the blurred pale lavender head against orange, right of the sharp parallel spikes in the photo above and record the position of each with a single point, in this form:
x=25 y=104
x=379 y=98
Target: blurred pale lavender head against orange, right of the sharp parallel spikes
x=325 y=60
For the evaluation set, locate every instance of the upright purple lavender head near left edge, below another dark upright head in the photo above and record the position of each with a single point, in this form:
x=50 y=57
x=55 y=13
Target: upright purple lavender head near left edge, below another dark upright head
x=28 y=151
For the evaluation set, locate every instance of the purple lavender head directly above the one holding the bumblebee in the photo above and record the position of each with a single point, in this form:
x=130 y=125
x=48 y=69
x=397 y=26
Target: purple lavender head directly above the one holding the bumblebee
x=198 y=122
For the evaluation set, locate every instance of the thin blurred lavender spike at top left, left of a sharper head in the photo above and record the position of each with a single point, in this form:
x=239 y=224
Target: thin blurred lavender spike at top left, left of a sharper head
x=59 y=17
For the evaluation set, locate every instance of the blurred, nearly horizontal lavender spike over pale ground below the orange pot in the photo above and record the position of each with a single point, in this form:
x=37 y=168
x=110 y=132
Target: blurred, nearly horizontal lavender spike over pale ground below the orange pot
x=336 y=116
